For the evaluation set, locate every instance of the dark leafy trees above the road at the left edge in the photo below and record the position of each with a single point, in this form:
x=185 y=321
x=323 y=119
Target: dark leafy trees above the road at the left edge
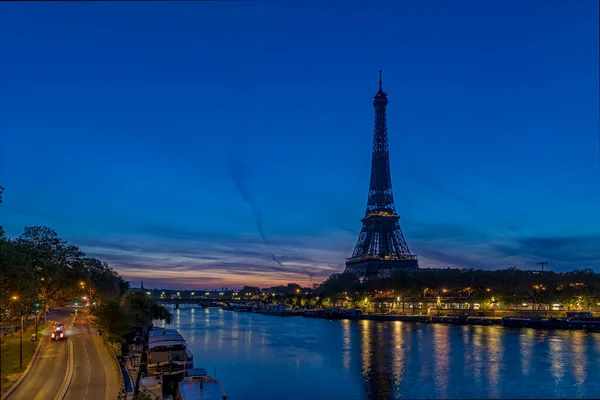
x=39 y=267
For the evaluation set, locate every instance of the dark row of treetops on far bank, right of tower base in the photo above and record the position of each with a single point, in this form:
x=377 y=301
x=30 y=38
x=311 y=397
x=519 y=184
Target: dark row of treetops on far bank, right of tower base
x=510 y=285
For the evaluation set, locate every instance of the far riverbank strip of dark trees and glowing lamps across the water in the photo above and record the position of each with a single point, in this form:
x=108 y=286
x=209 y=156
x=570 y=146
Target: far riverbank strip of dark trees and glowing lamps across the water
x=424 y=291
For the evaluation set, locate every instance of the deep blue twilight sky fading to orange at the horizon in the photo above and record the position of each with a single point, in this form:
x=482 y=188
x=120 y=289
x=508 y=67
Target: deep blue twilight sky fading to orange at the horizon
x=123 y=126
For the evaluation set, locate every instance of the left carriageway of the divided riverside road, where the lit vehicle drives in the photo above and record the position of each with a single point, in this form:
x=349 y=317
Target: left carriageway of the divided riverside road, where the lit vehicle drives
x=46 y=376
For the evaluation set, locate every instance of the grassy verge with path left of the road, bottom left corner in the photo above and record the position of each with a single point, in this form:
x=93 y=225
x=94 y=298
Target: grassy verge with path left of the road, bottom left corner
x=9 y=354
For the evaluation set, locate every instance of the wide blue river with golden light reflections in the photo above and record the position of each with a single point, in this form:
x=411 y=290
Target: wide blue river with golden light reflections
x=269 y=357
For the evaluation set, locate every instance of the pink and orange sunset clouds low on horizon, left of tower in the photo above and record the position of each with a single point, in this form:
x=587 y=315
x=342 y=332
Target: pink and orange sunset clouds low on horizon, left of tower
x=186 y=263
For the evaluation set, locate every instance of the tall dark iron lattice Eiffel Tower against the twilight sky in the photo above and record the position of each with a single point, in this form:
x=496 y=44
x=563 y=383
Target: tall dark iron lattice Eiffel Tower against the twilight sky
x=381 y=247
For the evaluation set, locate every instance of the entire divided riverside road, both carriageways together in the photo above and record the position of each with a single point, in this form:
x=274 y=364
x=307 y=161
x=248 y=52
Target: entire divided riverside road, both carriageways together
x=91 y=365
